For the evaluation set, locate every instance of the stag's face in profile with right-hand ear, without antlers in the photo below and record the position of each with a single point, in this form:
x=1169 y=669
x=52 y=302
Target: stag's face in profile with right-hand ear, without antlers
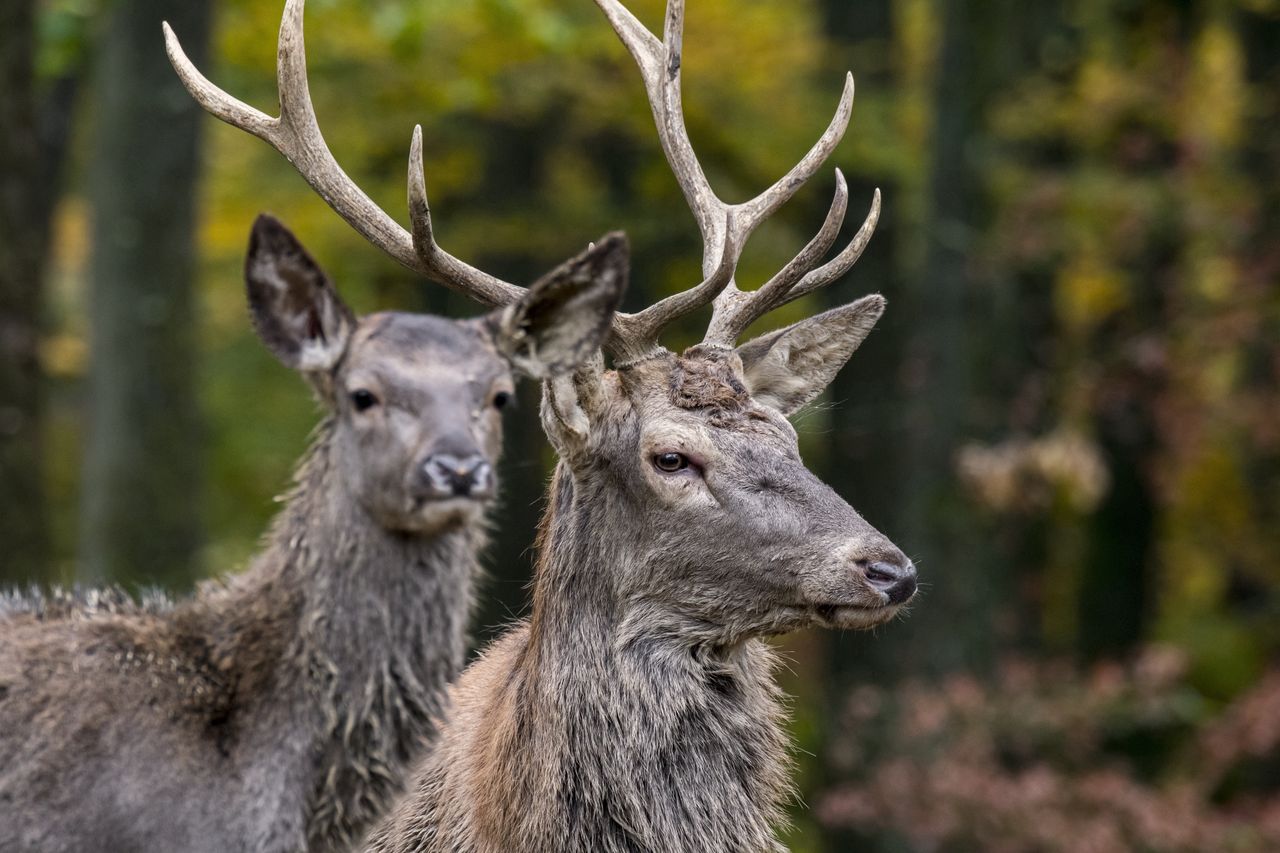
x=702 y=473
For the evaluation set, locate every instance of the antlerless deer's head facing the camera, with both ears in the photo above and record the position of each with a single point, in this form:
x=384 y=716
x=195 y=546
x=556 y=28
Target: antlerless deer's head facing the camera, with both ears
x=415 y=402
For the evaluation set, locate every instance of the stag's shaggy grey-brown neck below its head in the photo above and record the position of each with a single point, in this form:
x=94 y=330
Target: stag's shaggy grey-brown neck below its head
x=611 y=696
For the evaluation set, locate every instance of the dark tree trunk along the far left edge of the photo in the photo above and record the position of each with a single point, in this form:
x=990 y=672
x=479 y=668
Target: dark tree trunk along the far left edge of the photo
x=24 y=532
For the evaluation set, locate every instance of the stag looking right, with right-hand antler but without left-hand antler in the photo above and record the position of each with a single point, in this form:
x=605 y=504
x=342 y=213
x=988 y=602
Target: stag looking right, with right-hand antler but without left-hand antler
x=637 y=708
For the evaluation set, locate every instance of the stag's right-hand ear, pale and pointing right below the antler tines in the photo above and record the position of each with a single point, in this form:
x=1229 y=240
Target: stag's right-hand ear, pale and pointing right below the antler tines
x=789 y=368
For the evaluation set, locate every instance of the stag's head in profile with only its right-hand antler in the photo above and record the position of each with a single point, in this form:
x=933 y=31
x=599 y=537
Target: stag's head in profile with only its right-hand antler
x=689 y=460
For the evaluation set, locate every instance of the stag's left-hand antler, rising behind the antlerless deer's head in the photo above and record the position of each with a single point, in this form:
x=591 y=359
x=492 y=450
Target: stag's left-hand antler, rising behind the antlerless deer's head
x=298 y=136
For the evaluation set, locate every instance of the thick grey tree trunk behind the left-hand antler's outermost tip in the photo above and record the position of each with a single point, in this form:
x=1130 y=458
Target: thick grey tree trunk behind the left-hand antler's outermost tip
x=143 y=471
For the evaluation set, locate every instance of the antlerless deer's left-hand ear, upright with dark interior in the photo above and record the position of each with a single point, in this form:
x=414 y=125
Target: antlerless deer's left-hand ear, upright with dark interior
x=296 y=309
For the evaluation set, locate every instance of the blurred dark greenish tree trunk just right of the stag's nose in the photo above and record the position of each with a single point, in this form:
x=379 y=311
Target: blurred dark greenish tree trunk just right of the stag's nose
x=940 y=362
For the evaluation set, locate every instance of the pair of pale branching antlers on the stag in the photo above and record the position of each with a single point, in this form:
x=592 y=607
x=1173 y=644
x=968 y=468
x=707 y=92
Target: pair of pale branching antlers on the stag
x=725 y=227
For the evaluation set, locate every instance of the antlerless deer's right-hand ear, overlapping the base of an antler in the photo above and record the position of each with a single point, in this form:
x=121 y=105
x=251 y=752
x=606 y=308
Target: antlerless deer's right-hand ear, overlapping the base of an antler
x=566 y=316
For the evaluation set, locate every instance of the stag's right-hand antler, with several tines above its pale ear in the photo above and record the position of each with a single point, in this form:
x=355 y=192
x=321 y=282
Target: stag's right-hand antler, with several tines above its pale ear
x=725 y=227
